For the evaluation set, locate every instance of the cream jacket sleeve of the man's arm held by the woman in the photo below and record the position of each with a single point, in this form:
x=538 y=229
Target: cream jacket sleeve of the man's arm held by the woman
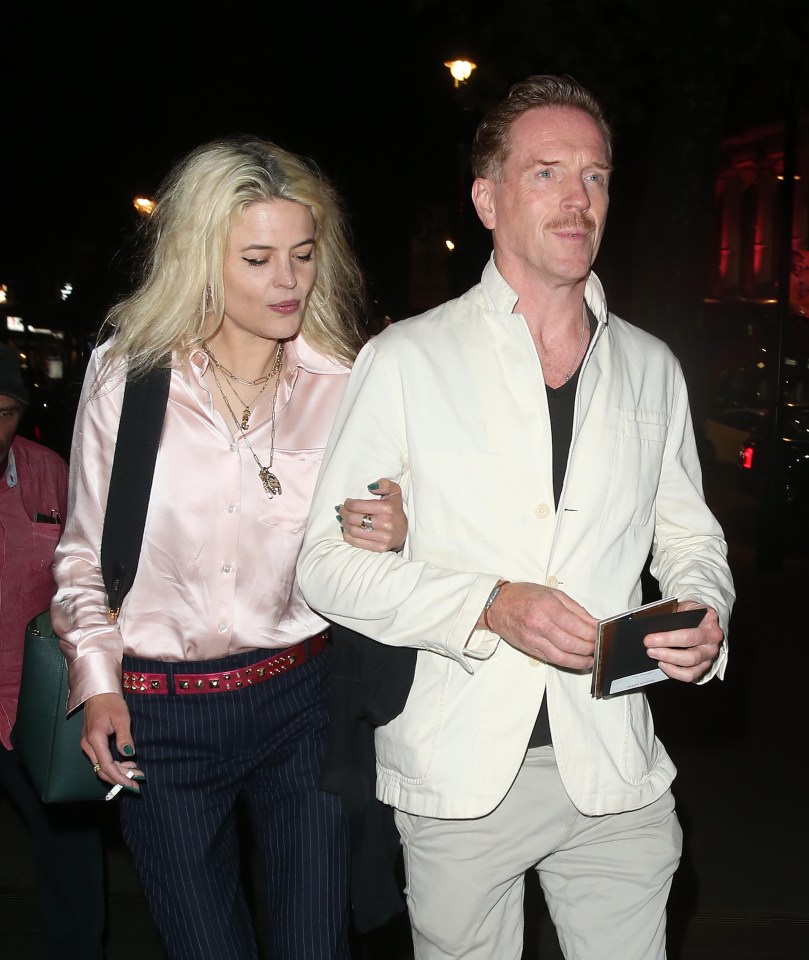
x=387 y=596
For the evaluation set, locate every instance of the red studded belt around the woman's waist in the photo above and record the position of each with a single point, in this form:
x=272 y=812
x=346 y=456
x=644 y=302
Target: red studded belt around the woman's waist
x=249 y=676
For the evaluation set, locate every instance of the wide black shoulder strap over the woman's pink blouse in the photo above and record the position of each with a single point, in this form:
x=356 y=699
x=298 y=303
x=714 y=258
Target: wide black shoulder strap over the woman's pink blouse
x=142 y=415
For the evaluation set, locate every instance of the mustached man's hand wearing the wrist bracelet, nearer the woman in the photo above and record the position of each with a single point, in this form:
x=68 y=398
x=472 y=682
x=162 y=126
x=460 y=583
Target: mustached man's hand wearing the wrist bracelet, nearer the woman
x=544 y=623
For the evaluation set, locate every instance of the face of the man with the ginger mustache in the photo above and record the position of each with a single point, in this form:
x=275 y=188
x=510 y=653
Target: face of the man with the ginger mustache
x=547 y=213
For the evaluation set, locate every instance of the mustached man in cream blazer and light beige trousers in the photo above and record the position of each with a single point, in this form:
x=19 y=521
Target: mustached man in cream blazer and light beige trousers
x=545 y=448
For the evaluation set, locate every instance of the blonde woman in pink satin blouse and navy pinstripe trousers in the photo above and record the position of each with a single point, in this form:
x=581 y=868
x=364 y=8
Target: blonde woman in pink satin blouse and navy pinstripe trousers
x=251 y=287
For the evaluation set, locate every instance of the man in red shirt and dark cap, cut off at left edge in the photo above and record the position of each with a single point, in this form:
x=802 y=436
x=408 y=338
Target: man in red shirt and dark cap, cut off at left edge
x=66 y=842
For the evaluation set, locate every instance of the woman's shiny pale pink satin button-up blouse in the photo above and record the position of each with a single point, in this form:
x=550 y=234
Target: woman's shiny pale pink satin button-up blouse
x=217 y=568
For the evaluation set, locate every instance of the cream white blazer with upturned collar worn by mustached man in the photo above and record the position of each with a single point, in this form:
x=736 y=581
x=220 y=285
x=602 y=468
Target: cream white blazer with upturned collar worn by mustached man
x=452 y=405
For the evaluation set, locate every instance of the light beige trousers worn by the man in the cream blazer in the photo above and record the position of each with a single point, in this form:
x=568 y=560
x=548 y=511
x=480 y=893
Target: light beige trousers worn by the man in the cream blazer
x=606 y=879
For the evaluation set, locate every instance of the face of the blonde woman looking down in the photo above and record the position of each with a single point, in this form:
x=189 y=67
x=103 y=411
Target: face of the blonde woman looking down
x=269 y=271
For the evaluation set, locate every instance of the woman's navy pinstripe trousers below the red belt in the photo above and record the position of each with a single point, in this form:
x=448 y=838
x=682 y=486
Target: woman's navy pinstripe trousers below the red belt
x=200 y=753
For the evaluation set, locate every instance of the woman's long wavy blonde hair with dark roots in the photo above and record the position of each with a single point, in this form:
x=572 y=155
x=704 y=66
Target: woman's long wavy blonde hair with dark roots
x=180 y=299
